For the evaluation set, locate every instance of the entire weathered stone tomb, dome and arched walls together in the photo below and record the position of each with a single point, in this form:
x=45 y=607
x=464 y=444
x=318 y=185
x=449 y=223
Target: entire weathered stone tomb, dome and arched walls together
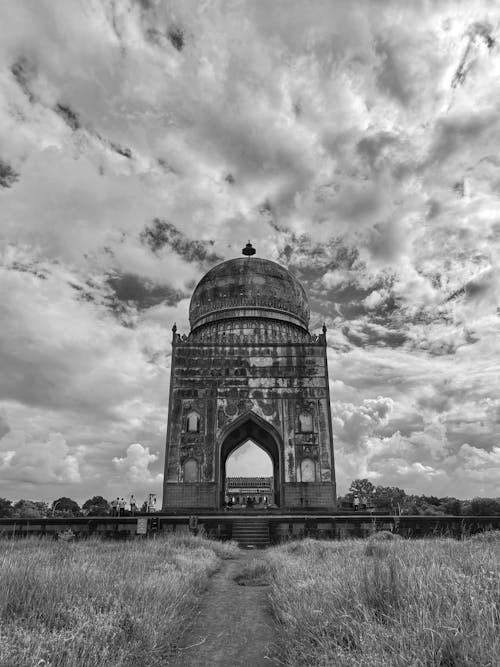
x=249 y=369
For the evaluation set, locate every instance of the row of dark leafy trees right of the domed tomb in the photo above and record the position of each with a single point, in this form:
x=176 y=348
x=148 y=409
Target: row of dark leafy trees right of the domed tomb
x=397 y=500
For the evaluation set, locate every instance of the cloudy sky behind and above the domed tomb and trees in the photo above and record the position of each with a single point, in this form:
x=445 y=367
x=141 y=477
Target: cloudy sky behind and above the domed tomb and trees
x=143 y=142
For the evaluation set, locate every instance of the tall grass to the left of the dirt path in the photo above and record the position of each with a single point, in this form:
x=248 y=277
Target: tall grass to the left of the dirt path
x=94 y=603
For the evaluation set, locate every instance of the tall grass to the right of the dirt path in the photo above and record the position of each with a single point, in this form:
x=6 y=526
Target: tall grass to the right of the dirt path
x=391 y=603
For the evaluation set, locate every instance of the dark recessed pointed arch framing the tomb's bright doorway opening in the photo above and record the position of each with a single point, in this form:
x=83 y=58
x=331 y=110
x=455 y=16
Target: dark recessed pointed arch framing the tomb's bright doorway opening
x=251 y=427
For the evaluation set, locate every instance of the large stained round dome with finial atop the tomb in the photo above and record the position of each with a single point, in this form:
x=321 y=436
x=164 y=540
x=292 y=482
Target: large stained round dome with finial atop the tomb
x=249 y=287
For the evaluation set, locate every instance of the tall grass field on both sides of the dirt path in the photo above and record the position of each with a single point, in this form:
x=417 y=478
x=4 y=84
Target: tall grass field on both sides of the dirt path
x=358 y=603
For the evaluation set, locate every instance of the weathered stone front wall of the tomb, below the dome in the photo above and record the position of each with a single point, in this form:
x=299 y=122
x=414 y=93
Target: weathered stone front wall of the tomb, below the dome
x=225 y=379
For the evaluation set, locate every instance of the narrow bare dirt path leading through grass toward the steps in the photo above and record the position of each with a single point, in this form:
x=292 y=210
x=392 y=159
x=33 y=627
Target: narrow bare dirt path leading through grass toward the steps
x=233 y=626
